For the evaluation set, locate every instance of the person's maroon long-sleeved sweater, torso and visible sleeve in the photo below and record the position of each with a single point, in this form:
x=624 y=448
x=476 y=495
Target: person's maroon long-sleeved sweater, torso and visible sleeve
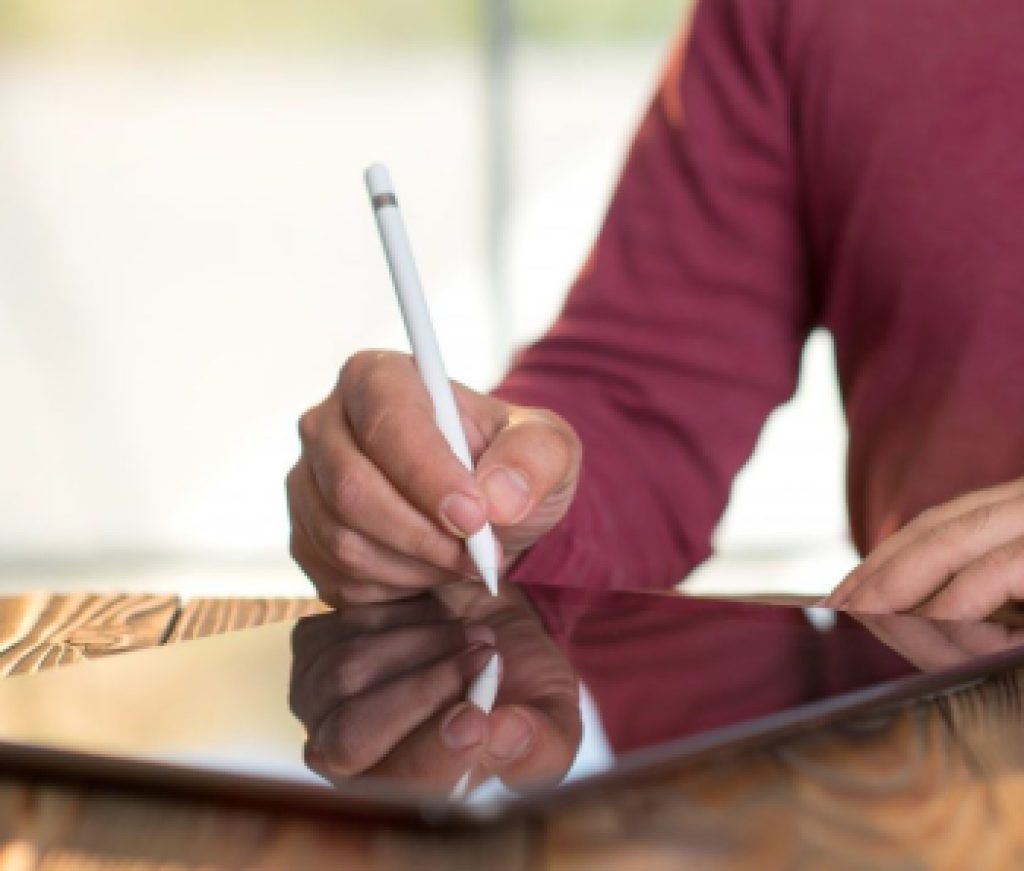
x=855 y=165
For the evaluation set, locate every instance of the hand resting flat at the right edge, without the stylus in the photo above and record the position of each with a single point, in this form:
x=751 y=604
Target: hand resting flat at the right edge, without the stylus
x=961 y=561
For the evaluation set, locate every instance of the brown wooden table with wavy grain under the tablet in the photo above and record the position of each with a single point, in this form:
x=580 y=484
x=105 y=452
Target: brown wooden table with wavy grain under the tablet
x=936 y=785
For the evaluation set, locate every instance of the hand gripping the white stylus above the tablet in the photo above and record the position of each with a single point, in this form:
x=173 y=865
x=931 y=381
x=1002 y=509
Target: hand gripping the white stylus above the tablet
x=380 y=505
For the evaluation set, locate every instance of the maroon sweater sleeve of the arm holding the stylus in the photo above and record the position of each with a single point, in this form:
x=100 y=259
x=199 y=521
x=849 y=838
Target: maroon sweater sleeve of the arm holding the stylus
x=686 y=328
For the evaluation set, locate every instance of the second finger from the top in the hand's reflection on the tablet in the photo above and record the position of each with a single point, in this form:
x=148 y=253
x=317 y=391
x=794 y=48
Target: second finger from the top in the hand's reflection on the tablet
x=358 y=665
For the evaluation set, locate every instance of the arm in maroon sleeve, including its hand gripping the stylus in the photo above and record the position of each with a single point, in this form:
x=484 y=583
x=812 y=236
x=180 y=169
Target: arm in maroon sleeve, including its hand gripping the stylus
x=682 y=334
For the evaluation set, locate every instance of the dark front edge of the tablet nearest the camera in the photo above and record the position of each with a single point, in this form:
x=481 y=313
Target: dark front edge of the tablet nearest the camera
x=387 y=804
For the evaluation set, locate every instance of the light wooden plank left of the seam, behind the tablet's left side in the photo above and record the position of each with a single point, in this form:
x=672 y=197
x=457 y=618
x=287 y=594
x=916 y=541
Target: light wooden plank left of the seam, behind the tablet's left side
x=38 y=631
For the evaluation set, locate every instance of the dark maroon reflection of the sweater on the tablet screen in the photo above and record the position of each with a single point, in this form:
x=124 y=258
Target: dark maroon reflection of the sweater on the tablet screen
x=664 y=668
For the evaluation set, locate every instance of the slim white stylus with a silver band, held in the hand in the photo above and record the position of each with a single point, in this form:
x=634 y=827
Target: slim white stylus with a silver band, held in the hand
x=399 y=252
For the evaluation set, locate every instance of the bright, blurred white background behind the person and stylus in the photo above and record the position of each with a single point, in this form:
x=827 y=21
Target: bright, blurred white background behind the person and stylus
x=187 y=257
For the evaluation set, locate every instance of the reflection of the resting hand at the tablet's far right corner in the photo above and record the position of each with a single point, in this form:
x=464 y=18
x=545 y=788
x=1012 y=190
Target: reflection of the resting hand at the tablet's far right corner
x=933 y=645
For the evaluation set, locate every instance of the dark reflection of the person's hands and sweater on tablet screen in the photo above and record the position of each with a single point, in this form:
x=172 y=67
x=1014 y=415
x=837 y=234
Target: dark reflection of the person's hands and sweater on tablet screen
x=381 y=689
